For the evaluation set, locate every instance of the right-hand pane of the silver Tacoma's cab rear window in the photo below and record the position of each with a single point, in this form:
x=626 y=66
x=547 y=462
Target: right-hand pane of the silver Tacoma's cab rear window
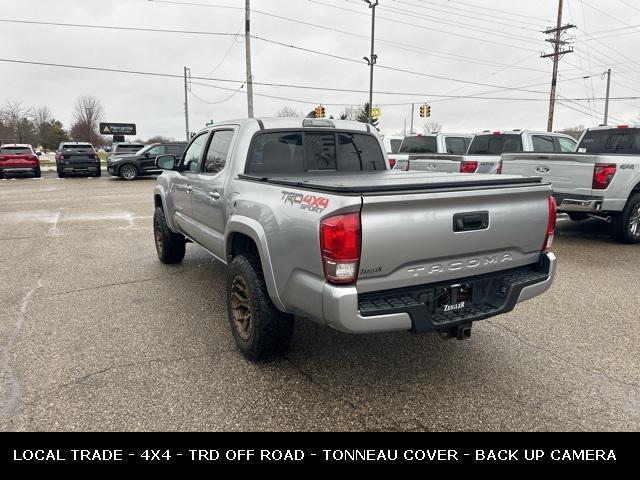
x=359 y=152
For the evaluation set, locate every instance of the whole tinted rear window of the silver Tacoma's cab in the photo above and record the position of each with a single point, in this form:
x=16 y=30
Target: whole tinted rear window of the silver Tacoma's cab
x=290 y=152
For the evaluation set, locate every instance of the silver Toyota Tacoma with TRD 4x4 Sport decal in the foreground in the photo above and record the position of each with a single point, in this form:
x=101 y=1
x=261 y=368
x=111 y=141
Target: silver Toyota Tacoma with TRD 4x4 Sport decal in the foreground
x=312 y=223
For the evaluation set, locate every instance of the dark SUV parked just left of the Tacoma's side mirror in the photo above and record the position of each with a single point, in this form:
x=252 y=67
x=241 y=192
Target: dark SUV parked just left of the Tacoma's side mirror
x=143 y=162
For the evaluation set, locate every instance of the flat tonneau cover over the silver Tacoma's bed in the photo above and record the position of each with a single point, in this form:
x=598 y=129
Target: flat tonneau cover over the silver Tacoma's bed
x=390 y=181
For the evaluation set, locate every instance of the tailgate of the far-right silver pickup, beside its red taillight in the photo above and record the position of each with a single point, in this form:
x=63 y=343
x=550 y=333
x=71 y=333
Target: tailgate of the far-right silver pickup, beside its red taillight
x=568 y=173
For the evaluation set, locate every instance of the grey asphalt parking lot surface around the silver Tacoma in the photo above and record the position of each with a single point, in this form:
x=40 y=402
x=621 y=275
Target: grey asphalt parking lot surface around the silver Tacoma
x=97 y=334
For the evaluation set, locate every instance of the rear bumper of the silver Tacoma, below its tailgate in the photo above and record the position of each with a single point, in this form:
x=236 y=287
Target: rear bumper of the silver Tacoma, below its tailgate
x=414 y=309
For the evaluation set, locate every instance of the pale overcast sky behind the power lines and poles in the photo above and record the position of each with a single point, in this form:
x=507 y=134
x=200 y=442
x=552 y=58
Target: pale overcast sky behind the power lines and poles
x=461 y=40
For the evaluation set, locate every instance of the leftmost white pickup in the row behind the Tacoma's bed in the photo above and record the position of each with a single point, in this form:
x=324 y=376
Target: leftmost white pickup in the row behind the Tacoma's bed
x=416 y=146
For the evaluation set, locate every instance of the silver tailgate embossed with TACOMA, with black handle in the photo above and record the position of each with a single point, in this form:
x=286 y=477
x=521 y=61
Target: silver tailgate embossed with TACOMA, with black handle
x=418 y=238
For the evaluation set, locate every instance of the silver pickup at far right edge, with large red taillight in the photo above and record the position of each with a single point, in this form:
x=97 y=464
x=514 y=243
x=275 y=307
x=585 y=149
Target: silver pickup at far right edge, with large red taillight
x=601 y=180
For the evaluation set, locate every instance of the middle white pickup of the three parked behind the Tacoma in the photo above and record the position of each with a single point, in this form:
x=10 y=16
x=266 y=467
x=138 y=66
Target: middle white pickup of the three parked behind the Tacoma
x=483 y=154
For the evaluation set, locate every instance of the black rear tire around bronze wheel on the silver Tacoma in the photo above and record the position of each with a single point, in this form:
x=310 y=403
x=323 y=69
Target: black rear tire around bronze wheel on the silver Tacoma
x=271 y=330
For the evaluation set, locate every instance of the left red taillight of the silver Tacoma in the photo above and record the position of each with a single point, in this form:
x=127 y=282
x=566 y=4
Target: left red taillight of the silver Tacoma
x=340 y=247
